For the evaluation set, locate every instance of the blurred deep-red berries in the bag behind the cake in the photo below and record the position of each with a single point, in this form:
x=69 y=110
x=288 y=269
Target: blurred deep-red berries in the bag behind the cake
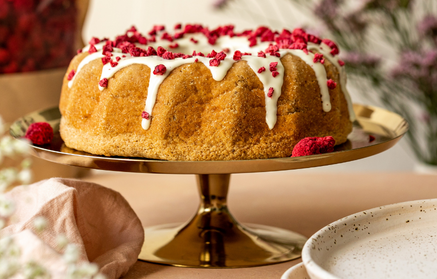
x=36 y=37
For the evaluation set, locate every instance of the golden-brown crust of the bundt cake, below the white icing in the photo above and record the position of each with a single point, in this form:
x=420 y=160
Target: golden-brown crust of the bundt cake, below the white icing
x=196 y=117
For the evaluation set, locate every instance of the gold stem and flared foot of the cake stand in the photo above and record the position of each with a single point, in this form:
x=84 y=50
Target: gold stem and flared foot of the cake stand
x=213 y=238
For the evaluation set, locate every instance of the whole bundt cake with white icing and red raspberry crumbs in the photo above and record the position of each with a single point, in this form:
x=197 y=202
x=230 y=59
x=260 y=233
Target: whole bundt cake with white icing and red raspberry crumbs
x=202 y=94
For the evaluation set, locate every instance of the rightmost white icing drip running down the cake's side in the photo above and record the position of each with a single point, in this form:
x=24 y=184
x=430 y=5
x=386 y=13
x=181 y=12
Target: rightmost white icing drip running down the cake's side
x=325 y=50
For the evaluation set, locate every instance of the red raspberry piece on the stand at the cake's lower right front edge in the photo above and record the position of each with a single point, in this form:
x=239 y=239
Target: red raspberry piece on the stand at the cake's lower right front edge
x=313 y=145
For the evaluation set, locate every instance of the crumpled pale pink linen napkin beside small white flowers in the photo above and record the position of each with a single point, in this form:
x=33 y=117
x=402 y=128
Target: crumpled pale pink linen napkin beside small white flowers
x=96 y=218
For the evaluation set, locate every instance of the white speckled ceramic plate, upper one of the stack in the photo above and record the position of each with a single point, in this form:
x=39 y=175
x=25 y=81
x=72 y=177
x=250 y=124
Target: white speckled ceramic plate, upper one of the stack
x=392 y=241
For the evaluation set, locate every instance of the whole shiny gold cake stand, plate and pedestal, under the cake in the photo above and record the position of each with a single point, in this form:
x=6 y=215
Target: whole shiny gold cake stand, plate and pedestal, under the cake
x=213 y=238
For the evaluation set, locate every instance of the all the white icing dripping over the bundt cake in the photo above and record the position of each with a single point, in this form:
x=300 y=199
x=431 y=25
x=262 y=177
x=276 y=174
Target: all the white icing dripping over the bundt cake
x=185 y=44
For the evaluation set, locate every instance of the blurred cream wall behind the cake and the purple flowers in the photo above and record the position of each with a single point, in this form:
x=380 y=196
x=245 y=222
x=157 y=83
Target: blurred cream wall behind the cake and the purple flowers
x=107 y=18
